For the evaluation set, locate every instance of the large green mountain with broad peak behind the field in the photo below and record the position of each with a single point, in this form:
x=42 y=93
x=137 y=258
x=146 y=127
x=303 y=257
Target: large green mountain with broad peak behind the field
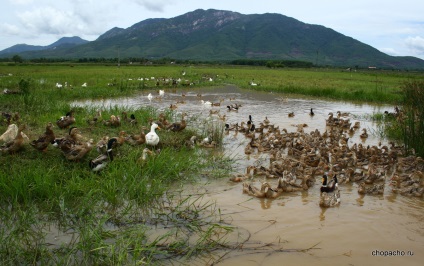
x=217 y=35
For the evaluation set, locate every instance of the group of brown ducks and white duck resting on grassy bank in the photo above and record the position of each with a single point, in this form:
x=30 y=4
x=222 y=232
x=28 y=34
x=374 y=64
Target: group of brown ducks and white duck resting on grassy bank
x=74 y=146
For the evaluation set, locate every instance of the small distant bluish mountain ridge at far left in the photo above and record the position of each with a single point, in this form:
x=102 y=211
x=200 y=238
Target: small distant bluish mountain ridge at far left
x=64 y=42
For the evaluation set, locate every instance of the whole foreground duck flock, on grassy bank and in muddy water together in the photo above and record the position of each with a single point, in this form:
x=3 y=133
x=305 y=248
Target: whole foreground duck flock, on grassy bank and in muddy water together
x=296 y=159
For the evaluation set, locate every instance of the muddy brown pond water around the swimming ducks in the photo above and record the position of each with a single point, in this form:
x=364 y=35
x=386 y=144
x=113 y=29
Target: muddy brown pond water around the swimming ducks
x=293 y=228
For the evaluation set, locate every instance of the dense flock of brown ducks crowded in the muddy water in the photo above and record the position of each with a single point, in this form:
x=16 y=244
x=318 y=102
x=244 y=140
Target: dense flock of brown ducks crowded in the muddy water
x=297 y=159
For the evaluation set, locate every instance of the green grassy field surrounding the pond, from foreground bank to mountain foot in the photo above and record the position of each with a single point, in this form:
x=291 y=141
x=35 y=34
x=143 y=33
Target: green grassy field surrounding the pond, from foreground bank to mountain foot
x=108 y=218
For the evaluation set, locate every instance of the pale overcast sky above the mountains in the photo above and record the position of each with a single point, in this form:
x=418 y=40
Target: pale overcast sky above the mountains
x=393 y=27
